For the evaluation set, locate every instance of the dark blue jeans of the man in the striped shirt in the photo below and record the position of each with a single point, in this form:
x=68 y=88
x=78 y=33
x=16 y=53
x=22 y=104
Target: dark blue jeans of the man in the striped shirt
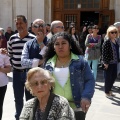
x=18 y=87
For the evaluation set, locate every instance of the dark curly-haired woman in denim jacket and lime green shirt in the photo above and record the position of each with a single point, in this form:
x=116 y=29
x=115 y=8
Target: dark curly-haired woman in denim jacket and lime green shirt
x=74 y=79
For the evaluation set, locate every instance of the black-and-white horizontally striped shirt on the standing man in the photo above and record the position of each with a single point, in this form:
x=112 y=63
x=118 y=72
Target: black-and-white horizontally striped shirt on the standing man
x=15 y=47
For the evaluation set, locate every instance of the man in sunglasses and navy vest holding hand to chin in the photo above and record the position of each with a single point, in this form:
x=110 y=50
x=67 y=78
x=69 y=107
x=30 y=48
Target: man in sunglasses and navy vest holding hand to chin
x=34 y=49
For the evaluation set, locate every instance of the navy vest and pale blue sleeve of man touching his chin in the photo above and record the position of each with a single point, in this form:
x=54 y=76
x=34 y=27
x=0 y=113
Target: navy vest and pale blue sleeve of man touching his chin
x=30 y=51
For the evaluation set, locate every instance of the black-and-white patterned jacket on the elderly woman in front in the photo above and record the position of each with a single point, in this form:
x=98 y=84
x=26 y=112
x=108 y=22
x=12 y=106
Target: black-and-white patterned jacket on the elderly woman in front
x=60 y=110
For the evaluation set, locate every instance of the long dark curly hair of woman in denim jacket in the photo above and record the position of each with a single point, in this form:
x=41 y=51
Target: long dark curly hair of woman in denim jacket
x=74 y=46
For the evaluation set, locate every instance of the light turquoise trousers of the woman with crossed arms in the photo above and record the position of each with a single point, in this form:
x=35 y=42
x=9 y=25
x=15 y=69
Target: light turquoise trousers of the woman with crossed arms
x=94 y=66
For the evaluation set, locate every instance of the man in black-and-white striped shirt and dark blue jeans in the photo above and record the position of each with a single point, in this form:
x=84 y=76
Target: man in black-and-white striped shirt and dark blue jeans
x=15 y=47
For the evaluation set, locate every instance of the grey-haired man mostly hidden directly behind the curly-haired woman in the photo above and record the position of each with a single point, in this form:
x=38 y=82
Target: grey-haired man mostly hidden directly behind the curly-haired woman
x=56 y=26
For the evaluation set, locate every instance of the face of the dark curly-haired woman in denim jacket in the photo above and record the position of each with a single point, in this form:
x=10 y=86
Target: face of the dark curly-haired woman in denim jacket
x=62 y=47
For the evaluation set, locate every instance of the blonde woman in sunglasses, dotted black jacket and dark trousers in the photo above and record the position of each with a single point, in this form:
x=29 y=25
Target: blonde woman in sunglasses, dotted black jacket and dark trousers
x=110 y=58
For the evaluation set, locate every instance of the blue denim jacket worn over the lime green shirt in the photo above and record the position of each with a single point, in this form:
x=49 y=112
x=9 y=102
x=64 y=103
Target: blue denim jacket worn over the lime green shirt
x=81 y=78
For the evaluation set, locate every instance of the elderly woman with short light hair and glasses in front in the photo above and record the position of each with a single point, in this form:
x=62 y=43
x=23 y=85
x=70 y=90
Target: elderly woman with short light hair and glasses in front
x=46 y=105
